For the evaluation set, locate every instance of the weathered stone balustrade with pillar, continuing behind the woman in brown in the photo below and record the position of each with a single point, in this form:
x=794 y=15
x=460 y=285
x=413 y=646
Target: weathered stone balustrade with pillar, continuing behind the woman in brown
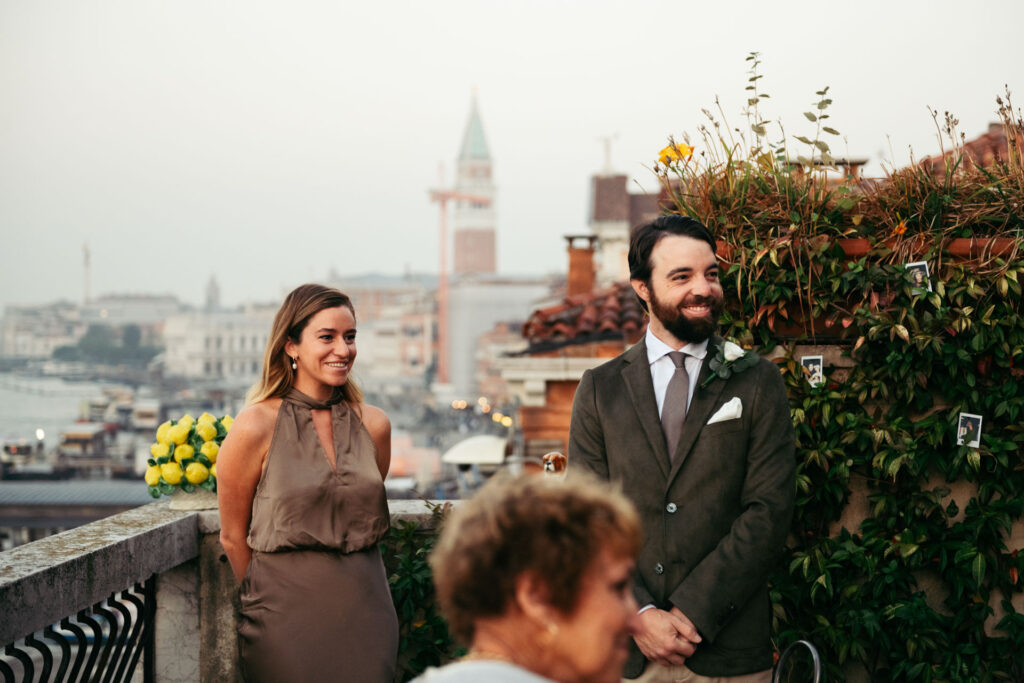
x=46 y=581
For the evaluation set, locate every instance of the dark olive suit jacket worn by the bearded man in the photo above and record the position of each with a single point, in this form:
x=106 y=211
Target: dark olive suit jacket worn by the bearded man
x=715 y=517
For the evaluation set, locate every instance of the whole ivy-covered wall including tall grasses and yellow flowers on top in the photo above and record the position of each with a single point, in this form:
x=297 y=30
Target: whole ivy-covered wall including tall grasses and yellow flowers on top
x=907 y=552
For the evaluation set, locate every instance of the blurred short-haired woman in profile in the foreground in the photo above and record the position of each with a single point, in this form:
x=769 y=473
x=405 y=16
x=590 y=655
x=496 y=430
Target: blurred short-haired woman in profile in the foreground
x=536 y=575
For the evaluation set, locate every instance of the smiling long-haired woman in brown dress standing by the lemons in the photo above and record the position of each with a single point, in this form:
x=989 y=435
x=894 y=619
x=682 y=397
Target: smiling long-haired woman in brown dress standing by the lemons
x=303 y=506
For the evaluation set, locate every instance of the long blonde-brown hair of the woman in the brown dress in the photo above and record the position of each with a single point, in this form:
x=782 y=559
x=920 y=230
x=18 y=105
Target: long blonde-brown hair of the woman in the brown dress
x=302 y=305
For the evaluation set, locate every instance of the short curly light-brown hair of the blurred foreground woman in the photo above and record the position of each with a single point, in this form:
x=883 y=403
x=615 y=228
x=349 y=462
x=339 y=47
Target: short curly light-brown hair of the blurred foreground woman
x=550 y=529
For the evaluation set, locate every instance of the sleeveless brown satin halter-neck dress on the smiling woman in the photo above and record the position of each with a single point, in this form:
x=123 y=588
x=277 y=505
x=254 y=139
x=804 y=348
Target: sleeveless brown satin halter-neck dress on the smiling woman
x=316 y=605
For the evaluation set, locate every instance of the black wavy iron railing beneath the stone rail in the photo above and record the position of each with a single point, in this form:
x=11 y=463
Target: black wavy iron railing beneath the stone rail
x=103 y=644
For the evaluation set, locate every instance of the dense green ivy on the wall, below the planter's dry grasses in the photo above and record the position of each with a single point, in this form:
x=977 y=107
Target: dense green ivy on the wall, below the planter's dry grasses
x=905 y=554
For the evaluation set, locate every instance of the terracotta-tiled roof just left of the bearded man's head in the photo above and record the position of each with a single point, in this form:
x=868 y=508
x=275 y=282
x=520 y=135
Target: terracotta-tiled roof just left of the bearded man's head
x=613 y=313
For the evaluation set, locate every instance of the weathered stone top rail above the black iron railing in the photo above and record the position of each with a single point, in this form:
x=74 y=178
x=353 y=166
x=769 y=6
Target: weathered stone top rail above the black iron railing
x=54 y=578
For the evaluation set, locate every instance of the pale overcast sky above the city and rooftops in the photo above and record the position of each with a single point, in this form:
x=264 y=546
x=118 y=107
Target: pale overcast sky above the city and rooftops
x=268 y=142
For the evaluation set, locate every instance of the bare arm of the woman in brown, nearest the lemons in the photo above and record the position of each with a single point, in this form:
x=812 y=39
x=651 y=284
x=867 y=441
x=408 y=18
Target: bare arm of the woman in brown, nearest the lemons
x=240 y=465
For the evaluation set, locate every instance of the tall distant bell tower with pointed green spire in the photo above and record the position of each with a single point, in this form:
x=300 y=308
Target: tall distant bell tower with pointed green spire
x=474 y=223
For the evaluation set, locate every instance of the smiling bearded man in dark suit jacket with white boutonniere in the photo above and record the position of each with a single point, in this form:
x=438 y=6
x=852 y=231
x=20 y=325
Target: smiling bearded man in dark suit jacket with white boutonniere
x=709 y=462
